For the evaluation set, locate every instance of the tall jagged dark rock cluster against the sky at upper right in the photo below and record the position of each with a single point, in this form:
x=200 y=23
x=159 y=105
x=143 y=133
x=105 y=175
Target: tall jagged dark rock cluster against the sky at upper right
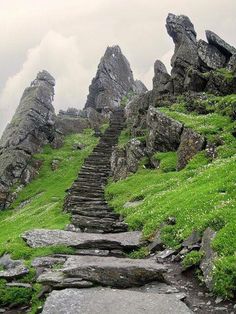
x=193 y=59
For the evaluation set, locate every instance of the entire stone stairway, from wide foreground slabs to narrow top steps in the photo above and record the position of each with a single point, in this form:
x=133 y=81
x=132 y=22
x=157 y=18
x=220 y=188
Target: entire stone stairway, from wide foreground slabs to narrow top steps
x=93 y=280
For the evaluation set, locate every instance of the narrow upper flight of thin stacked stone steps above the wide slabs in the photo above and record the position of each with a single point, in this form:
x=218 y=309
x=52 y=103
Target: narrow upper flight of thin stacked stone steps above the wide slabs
x=86 y=200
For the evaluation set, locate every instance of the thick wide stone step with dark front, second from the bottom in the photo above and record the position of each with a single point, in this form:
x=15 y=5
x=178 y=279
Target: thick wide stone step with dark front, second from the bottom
x=107 y=271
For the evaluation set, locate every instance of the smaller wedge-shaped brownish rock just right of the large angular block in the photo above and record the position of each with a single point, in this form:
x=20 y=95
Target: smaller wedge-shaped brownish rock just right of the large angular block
x=190 y=144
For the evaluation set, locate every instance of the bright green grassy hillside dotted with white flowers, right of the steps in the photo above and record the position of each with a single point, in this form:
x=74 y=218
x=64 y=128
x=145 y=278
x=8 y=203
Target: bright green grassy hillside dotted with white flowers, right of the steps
x=201 y=195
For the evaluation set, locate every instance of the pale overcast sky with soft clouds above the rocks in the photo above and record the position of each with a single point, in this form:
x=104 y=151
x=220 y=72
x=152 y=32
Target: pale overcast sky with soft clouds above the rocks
x=68 y=38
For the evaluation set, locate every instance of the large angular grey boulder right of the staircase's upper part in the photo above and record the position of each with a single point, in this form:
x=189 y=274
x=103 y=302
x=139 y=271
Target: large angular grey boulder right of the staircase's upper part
x=164 y=133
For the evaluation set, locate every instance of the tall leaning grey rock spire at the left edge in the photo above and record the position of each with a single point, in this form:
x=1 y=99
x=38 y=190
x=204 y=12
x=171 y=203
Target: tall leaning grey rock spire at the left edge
x=32 y=126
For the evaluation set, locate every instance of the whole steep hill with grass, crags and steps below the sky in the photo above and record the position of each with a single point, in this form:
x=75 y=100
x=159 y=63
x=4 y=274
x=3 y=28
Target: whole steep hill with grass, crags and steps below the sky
x=136 y=192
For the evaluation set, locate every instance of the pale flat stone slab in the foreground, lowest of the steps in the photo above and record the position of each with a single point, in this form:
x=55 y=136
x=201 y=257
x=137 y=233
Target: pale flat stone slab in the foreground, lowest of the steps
x=110 y=301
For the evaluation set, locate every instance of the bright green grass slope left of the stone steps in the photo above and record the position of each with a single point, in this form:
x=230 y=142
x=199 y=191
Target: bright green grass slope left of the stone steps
x=43 y=198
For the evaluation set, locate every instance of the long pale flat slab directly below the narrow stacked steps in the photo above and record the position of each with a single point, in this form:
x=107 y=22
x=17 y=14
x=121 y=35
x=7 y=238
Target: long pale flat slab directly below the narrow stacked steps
x=42 y=237
